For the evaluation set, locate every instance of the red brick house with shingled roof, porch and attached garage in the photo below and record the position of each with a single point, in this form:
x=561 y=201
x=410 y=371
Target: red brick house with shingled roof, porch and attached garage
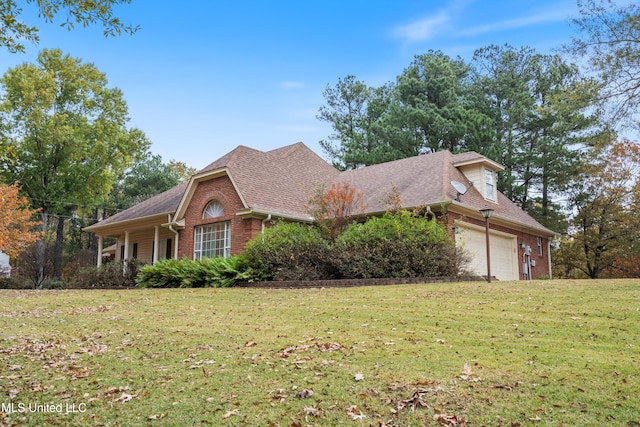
x=231 y=200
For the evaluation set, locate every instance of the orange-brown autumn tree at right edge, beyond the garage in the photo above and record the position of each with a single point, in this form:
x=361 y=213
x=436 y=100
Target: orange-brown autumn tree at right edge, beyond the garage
x=606 y=196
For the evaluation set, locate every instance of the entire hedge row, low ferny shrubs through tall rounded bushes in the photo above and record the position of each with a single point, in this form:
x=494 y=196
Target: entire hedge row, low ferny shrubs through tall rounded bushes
x=392 y=246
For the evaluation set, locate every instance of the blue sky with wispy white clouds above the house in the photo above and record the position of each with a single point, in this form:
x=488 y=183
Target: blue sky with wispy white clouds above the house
x=208 y=75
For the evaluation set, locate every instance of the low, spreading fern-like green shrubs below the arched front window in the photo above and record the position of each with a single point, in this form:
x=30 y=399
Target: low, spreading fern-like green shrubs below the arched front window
x=188 y=273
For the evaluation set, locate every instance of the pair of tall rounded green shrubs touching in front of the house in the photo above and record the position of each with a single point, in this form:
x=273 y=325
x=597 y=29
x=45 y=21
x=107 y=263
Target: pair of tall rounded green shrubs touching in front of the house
x=393 y=246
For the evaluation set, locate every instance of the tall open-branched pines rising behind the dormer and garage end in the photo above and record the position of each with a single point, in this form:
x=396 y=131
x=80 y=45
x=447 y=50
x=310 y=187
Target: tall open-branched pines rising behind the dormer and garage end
x=542 y=115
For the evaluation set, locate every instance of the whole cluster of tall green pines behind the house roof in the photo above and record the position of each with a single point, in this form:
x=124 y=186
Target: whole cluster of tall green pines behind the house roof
x=533 y=113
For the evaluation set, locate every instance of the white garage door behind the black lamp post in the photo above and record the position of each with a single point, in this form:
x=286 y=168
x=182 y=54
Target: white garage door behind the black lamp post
x=504 y=251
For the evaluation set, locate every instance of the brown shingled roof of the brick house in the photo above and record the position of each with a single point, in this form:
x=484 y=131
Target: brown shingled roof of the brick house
x=281 y=181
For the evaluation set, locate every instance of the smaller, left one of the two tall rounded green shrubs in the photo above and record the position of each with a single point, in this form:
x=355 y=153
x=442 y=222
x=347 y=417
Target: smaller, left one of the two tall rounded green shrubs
x=289 y=251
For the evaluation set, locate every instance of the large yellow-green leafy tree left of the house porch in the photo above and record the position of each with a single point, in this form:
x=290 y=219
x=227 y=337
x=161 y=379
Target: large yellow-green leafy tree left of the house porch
x=64 y=138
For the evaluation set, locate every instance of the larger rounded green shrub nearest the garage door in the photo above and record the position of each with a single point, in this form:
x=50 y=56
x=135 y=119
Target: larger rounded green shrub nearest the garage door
x=396 y=246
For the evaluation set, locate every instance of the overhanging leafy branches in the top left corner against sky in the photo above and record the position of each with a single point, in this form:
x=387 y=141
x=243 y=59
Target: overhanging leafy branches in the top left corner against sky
x=13 y=30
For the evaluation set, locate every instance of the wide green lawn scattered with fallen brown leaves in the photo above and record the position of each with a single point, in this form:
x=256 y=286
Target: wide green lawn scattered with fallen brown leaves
x=549 y=353
